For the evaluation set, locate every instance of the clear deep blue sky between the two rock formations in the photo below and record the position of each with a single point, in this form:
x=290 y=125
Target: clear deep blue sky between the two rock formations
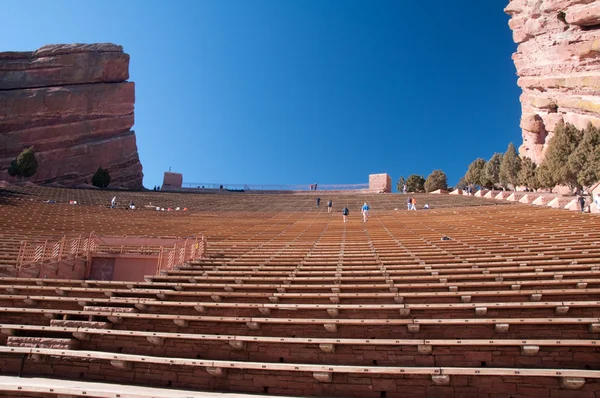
x=282 y=91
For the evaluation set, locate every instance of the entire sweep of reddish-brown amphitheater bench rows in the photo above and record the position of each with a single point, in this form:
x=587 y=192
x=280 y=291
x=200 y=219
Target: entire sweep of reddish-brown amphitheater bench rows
x=289 y=300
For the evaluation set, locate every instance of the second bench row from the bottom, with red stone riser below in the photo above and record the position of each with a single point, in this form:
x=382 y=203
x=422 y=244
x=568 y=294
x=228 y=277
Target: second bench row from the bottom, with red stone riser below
x=316 y=379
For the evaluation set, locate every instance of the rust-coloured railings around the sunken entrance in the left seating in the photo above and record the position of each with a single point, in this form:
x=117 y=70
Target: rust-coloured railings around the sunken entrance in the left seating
x=177 y=252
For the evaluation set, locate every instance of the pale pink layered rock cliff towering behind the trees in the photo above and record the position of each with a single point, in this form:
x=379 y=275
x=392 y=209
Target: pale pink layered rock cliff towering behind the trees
x=558 y=64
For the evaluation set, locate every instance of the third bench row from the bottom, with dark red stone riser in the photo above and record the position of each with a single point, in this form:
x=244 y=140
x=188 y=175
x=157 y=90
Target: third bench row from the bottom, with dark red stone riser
x=503 y=352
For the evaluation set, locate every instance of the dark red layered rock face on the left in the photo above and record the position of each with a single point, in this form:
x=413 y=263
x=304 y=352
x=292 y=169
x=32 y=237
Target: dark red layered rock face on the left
x=72 y=103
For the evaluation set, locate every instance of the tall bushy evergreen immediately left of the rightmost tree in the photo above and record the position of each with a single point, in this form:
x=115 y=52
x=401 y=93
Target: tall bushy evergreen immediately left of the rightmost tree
x=555 y=168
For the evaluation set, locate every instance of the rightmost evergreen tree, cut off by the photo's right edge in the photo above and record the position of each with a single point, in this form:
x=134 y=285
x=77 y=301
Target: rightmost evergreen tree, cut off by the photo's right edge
x=585 y=160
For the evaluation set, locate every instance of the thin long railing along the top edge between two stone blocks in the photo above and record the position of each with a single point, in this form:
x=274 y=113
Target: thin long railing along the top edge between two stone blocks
x=274 y=187
